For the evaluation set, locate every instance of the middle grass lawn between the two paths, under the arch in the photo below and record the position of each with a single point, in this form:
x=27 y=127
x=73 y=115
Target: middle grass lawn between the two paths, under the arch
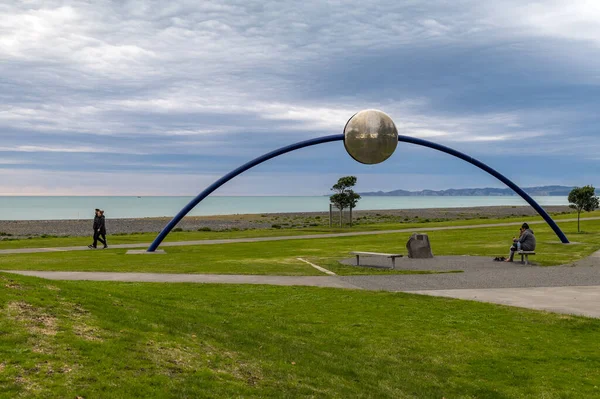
x=280 y=257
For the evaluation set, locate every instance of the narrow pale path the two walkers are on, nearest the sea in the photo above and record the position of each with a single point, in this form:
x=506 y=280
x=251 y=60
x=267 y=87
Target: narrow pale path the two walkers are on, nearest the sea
x=282 y=238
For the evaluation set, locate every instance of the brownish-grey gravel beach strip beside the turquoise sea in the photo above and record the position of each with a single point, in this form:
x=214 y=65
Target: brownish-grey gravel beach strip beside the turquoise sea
x=83 y=227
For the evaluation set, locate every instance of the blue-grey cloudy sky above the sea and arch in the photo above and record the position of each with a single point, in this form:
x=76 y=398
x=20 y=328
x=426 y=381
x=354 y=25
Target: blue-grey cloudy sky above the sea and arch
x=162 y=98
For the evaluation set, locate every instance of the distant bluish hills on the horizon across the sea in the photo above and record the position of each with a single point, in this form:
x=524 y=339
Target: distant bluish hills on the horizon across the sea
x=468 y=192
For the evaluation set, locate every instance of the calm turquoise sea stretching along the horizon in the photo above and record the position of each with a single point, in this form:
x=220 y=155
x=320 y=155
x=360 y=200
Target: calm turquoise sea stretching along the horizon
x=58 y=208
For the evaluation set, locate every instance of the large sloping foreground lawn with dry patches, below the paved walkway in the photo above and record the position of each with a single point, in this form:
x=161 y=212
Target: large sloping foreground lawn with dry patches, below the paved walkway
x=124 y=340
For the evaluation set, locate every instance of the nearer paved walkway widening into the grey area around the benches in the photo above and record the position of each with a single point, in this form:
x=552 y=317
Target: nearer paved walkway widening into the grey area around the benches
x=572 y=289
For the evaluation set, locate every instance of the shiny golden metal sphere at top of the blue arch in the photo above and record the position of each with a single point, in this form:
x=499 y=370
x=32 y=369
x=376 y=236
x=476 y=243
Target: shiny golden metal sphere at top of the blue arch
x=370 y=136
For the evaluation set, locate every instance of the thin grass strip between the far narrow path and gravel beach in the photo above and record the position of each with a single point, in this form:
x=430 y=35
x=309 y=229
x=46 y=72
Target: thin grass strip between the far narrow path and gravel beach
x=38 y=242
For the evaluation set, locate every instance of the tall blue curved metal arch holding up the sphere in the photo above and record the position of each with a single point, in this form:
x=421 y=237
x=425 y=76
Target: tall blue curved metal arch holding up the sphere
x=340 y=137
